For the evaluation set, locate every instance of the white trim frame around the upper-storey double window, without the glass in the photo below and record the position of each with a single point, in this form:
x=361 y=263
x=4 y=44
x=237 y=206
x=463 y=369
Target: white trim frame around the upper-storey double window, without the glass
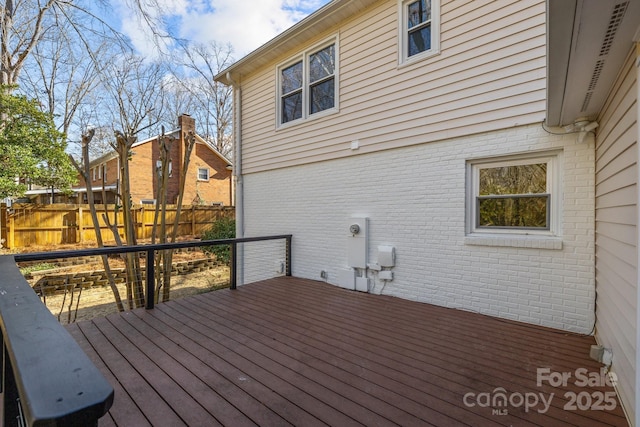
x=306 y=84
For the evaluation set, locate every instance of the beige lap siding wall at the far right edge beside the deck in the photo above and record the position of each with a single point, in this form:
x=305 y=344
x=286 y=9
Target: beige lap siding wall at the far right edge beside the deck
x=617 y=231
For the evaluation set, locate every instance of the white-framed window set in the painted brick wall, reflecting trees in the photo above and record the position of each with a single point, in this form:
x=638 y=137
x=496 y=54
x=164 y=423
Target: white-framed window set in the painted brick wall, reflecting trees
x=514 y=195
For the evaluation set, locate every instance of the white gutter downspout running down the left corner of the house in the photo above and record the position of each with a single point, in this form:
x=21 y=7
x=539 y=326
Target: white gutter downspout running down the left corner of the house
x=237 y=175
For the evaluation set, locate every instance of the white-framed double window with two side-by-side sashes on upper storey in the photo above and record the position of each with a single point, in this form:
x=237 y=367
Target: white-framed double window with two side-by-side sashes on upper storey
x=308 y=83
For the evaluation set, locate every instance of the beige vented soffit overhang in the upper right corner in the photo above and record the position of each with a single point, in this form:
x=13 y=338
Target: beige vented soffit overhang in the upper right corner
x=588 y=42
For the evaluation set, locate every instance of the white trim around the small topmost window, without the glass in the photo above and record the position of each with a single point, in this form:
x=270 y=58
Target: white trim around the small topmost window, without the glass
x=403 y=33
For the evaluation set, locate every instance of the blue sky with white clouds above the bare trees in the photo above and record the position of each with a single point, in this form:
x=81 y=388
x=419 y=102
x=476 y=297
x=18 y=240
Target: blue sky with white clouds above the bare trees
x=245 y=24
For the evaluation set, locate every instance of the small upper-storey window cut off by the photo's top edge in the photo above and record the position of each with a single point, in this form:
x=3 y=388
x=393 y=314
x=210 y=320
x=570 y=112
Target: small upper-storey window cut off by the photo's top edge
x=419 y=29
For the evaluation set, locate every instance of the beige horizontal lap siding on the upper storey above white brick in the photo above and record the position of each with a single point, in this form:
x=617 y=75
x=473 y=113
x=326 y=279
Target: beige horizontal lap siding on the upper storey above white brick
x=489 y=75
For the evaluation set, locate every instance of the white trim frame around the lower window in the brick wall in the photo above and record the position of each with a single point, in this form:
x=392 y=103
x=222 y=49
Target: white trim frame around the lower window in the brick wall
x=553 y=190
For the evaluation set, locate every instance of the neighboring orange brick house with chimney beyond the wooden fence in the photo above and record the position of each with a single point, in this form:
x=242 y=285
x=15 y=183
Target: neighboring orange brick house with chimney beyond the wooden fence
x=208 y=179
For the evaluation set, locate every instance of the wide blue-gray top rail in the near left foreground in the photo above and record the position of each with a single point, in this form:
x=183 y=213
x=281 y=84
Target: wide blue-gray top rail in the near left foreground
x=56 y=381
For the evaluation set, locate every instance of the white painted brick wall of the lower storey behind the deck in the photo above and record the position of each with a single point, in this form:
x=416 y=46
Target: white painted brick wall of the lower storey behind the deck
x=415 y=200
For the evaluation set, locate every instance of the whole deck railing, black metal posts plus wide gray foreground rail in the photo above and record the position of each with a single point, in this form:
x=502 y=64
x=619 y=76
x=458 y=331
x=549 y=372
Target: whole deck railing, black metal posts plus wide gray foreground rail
x=47 y=380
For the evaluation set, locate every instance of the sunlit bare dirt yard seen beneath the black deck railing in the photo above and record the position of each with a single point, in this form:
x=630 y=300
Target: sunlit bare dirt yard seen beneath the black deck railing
x=96 y=302
